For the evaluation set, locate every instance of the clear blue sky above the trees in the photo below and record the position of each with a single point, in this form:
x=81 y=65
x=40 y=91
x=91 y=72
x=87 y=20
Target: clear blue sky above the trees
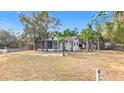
x=69 y=19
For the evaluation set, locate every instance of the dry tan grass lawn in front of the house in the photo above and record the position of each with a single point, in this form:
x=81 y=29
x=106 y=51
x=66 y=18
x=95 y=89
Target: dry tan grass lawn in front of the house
x=31 y=65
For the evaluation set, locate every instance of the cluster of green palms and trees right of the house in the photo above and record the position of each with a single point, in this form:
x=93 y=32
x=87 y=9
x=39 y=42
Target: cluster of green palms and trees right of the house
x=104 y=27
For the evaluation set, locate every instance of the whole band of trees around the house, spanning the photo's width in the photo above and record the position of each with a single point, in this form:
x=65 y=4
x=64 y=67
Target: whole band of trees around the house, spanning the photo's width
x=104 y=27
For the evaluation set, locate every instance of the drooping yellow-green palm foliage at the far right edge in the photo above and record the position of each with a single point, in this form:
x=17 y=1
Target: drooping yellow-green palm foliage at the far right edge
x=114 y=30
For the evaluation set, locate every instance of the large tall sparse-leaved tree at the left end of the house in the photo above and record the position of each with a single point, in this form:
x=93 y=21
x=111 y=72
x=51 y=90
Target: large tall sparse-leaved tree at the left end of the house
x=37 y=24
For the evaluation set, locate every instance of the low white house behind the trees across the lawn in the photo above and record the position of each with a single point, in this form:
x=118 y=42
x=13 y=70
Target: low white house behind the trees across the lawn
x=53 y=44
